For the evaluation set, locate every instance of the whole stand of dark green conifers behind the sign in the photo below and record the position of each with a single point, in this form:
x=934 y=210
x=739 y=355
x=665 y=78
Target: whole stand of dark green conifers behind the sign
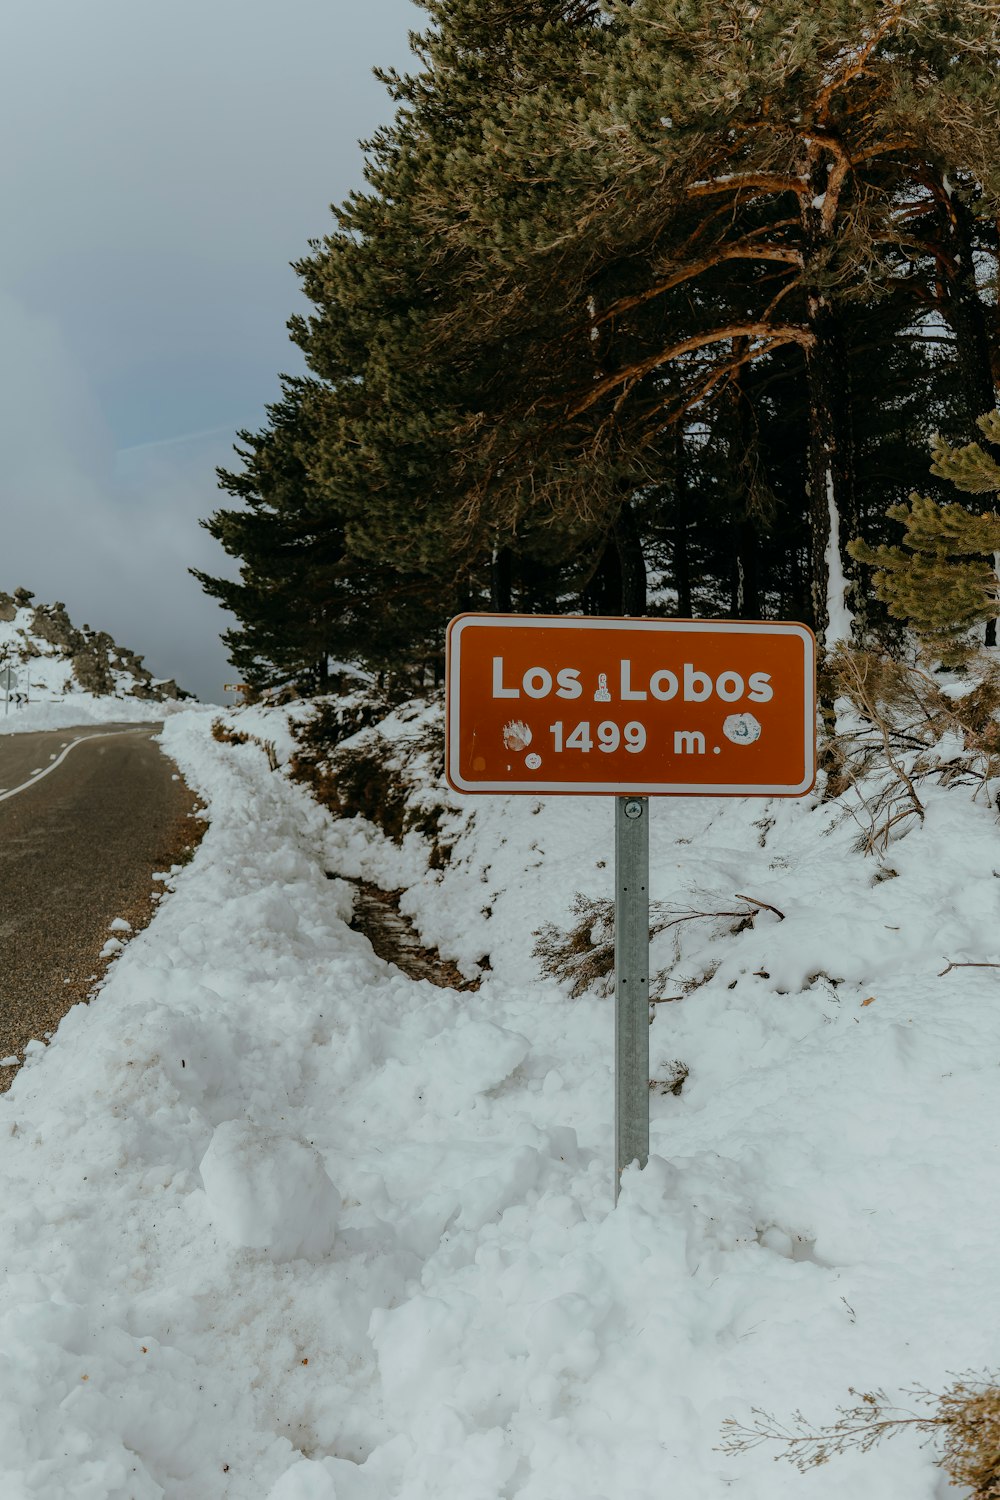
x=651 y=307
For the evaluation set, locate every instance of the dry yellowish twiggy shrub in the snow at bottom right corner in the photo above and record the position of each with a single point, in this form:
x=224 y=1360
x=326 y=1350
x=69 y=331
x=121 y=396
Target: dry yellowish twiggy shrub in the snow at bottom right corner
x=965 y=1421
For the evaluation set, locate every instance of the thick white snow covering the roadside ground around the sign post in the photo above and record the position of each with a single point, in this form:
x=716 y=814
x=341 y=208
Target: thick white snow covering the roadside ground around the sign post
x=284 y=1225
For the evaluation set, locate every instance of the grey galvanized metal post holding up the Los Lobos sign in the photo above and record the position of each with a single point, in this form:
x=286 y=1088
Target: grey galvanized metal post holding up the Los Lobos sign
x=632 y=983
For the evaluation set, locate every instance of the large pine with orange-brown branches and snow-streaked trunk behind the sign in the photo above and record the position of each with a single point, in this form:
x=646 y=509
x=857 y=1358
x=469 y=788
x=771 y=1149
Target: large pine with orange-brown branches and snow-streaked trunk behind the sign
x=710 y=190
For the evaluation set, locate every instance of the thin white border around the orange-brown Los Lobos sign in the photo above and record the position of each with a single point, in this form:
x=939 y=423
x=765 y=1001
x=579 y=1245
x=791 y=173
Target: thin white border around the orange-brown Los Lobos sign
x=774 y=628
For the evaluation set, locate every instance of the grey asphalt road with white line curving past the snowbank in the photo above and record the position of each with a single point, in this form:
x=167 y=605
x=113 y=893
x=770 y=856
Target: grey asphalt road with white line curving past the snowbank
x=80 y=839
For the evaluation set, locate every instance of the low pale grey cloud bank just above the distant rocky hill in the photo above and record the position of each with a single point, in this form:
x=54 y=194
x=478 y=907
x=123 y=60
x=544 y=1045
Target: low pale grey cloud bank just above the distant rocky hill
x=110 y=536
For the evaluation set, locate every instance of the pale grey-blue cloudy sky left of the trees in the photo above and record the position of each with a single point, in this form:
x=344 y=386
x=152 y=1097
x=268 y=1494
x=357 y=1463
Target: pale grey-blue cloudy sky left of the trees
x=164 y=161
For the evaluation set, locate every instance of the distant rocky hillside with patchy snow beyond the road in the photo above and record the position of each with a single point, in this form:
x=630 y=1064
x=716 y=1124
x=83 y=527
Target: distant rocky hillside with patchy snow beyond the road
x=53 y=674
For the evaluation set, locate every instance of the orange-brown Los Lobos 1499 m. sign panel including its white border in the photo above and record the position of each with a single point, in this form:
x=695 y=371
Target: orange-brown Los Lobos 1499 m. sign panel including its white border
x=656 y=707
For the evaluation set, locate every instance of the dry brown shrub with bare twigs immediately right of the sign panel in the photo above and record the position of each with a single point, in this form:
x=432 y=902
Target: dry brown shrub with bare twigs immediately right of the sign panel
x=906 y=730
